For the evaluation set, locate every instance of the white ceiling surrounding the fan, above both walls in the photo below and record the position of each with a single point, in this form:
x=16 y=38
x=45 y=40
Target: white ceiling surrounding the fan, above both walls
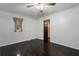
x=20 y=8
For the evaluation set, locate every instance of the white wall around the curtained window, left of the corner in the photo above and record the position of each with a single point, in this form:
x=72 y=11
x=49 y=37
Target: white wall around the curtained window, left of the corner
x=7 y=34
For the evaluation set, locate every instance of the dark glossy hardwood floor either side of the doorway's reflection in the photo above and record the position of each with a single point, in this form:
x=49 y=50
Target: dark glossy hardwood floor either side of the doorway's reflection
x=35 y=48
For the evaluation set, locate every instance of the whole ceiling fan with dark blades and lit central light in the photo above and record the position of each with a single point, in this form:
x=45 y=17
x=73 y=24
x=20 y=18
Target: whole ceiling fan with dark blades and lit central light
x=41 y=5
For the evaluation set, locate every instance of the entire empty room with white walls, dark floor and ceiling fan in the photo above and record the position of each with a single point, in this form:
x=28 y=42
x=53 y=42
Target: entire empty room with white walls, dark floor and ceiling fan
x=39 y=29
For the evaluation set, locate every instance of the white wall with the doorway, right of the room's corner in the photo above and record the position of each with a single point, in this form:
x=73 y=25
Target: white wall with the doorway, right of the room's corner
x=64 y=27
